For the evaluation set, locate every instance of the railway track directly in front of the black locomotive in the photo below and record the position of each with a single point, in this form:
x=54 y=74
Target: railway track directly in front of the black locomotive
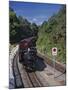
x=34 y=80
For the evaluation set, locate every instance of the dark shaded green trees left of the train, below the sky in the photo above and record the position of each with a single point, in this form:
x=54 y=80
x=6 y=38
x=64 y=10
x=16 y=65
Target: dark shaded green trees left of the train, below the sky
x=20 y=28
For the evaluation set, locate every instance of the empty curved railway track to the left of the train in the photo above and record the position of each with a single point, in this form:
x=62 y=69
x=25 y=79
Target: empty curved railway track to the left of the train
x=16 y=73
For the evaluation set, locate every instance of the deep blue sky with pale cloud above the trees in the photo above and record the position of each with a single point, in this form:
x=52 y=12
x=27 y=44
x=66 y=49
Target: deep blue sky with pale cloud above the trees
x=34 y=12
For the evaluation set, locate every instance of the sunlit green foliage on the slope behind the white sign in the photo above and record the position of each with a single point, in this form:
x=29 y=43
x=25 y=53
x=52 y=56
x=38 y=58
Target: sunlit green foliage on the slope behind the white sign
x=53 y=34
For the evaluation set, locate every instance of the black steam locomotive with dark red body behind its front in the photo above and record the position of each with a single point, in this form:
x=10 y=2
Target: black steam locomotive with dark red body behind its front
x=27 y=52
